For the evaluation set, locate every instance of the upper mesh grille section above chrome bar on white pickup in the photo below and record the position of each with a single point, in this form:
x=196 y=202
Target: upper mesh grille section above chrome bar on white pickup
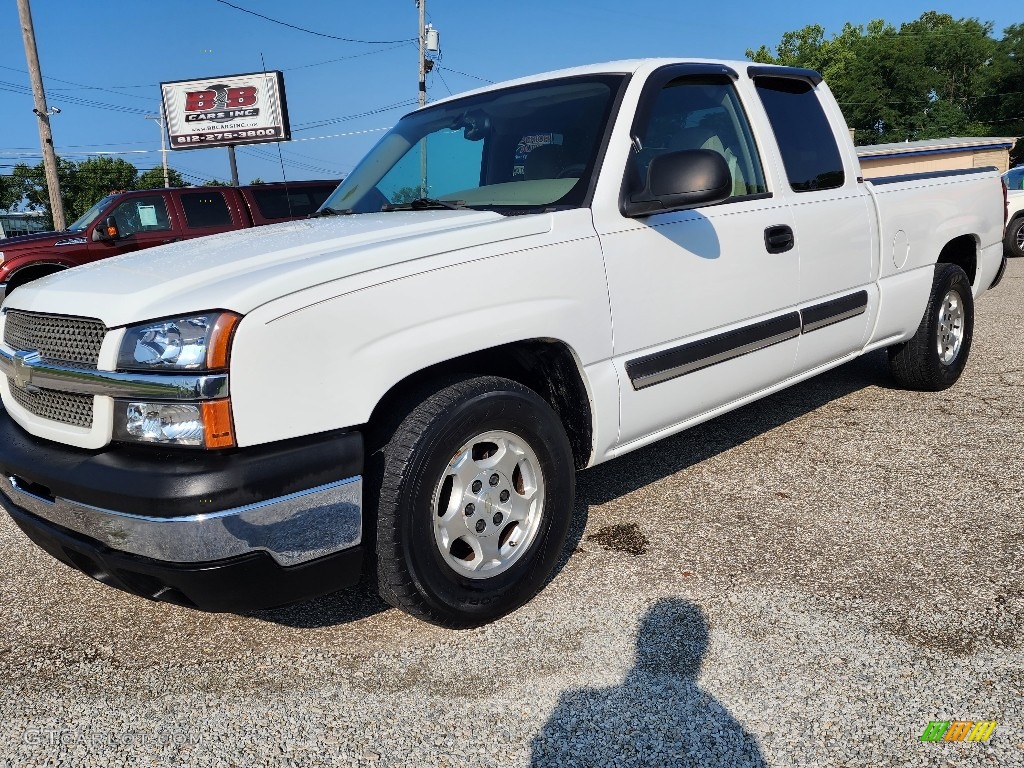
x=72 y=340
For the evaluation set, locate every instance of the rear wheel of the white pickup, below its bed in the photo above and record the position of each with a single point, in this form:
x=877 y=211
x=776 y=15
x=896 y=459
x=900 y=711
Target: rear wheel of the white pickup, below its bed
x=935 y=358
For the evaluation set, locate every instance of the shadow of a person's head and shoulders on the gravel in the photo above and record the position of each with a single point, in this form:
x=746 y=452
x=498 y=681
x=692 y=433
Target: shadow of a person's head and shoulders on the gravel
x=659 y=716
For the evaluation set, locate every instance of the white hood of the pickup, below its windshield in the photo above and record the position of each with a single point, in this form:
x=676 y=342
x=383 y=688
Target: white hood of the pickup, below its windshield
x=243 y=270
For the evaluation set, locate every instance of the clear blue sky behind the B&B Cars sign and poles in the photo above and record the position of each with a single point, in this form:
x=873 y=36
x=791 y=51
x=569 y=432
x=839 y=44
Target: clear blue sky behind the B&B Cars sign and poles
x=103 y=63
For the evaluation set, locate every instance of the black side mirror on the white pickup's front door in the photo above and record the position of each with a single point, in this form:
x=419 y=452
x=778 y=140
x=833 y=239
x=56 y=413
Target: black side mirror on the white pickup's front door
x=678 y=181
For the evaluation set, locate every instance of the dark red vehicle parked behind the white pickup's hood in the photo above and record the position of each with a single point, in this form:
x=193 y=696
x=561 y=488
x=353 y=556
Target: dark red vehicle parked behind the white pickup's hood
x=134 y=221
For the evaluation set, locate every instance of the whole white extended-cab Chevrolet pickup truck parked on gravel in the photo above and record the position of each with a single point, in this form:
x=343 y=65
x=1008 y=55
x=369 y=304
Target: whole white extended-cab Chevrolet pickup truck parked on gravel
x=516 y=284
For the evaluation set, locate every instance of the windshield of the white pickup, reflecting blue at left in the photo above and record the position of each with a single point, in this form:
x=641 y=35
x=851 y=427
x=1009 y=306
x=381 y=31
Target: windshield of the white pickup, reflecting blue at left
x=511 y=151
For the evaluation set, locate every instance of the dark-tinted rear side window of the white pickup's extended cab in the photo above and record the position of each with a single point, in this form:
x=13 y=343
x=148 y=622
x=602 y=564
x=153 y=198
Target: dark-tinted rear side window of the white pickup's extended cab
x=804 y=136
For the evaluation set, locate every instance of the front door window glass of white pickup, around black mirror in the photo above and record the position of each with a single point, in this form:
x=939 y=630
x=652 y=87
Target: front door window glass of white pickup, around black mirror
x=701 y=114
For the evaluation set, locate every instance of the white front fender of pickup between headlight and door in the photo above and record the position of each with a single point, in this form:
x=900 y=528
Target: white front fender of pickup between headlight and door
x=327 y=366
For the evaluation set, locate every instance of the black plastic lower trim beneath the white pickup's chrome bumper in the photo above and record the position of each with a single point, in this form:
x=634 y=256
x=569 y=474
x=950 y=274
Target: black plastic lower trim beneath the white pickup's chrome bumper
x=251 y=582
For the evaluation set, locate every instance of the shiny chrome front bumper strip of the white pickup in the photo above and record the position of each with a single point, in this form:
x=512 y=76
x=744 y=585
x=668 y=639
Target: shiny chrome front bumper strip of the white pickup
x=293 y=529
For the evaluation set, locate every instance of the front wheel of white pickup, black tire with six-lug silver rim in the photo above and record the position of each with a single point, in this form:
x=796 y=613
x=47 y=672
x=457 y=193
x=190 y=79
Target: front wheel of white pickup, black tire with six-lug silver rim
x=475 y=505
